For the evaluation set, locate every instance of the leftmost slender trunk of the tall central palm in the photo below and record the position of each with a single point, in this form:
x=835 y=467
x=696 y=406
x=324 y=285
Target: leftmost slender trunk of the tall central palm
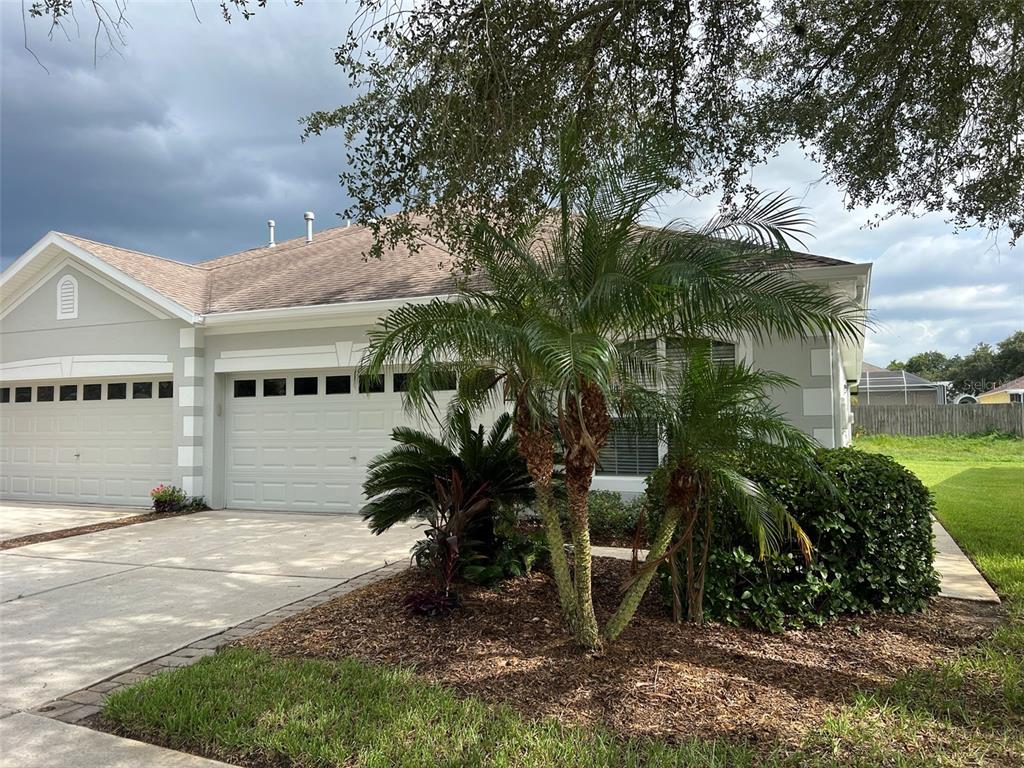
x=537 y=448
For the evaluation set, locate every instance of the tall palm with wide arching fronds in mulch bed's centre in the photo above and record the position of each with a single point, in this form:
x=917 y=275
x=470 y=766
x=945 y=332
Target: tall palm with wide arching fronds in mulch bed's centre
x=557 y=326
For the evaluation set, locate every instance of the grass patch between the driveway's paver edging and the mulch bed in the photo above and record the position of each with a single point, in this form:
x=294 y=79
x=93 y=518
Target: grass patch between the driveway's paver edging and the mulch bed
x=241 y=704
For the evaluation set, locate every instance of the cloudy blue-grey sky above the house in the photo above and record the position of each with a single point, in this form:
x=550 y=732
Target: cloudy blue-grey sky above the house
x=187 y=144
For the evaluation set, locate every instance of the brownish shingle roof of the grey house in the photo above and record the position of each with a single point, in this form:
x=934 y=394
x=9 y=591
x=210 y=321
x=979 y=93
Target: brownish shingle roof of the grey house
x=331 y=270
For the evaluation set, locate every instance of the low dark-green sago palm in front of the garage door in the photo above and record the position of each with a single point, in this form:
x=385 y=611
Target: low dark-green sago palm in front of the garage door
x=401 y=484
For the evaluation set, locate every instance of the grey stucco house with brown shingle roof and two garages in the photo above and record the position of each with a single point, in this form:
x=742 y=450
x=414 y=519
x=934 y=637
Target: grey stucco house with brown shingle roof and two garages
x=236 y=378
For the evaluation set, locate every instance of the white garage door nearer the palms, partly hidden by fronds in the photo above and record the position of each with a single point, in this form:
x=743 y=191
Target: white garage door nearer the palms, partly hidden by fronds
x=303 y=442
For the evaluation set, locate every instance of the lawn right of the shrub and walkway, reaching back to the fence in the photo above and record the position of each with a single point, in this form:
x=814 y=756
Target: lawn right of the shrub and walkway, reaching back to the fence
x=970 y=711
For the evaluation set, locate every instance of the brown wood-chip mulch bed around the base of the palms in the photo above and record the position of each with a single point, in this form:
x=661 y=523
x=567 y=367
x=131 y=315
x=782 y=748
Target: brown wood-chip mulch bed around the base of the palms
x=661 y=679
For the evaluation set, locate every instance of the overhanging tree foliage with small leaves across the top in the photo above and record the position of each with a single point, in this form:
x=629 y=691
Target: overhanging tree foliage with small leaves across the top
x=916 y=106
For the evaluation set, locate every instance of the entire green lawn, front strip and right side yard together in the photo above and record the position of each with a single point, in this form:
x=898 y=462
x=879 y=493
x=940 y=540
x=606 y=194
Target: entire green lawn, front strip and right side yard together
x=239 y=704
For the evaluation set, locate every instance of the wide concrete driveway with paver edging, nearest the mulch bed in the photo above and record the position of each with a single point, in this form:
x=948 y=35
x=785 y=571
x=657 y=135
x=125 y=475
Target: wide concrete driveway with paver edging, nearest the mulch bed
x=77 y=611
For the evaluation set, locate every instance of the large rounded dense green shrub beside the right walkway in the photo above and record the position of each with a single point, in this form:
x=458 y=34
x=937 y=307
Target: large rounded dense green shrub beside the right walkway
x=873 y=539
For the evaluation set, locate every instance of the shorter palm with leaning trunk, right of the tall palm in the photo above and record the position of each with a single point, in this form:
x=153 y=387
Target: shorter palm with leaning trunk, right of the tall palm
x=717 y=419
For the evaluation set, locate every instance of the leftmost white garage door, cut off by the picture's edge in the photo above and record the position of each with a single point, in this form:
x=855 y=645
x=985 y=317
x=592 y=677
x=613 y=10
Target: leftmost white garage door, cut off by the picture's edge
x=95 y=443
